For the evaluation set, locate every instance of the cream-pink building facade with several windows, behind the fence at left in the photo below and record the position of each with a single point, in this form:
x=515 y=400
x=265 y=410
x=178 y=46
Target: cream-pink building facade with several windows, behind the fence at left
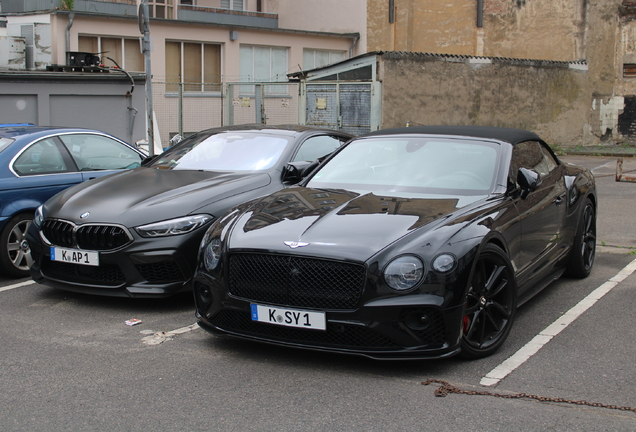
x=200 y=49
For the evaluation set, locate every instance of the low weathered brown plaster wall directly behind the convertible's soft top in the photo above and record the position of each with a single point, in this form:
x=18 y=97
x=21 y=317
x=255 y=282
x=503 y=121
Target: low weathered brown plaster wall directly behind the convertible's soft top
x=549 y=98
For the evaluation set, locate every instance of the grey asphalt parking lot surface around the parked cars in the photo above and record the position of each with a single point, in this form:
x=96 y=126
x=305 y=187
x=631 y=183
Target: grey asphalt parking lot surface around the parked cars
x=69 y=362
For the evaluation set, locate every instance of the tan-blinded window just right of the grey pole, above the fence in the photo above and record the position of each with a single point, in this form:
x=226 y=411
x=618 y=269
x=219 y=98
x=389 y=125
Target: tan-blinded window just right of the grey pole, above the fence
x=195 y=65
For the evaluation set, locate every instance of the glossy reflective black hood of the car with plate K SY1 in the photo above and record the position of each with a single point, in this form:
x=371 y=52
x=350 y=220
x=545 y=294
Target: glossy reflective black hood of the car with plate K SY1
x=313 y=221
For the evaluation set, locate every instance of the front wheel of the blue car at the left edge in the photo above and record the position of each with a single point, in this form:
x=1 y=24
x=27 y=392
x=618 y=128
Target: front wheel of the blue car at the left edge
x=15 y=254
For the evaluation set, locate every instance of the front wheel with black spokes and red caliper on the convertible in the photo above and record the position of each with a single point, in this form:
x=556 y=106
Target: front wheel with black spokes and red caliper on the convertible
x=490 y=304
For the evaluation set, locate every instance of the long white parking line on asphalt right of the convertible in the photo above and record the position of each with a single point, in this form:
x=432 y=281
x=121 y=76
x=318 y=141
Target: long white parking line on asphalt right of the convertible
x=528 y=350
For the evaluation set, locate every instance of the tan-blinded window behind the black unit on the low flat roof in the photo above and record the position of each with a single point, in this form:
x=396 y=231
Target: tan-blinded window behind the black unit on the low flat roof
x=123 y=52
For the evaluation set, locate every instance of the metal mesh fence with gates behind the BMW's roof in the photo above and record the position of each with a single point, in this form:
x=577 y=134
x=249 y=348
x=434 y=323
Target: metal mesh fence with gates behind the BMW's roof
x=185 y=108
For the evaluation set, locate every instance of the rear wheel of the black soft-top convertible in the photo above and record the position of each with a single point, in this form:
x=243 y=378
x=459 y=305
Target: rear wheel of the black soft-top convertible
x=584 y=247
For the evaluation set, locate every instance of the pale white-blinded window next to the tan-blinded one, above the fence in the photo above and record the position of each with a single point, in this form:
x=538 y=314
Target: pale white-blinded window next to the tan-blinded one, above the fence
x=263 y=64
